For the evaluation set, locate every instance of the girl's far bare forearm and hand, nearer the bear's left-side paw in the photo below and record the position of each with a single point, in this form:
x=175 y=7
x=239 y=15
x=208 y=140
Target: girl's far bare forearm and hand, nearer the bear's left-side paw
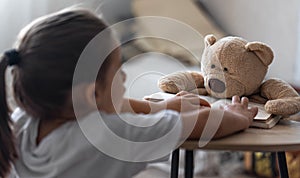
x=182 y=102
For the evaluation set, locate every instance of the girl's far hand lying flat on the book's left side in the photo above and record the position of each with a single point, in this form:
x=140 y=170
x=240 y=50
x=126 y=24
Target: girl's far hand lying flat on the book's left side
x=185 y=101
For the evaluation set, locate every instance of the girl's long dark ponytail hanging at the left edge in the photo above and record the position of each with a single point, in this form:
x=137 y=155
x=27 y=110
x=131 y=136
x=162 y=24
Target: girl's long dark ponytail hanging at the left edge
x=7 y=147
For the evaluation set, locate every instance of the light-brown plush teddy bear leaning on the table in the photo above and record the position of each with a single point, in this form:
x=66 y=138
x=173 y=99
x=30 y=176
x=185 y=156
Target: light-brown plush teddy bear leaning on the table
x=233 y=66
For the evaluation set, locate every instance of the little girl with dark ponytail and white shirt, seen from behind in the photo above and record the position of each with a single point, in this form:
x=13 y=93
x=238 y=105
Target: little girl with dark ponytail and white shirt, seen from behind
x=47 y=140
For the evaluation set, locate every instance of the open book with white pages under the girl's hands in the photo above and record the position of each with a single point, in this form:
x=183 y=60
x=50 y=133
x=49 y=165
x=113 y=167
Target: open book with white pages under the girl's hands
x=263 y=119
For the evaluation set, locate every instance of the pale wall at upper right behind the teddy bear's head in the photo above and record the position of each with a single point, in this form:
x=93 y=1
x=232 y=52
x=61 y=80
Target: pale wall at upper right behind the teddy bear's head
x=275 y=22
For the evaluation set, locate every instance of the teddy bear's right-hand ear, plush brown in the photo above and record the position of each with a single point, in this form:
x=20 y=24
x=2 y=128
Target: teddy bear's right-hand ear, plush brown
x=263 y=51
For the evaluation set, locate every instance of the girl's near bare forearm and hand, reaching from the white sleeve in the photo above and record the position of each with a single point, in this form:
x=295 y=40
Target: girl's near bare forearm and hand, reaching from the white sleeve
x=236 y=116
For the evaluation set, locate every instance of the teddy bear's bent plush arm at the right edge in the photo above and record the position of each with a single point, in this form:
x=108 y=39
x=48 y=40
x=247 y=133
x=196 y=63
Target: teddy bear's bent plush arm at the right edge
x=283 y=99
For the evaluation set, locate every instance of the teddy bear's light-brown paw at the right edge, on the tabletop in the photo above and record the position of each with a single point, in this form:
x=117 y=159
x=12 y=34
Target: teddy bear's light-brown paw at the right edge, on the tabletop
x=284 y=106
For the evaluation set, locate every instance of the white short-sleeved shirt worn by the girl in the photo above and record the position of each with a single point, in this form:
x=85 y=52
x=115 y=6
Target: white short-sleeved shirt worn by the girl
x=66 y=151
